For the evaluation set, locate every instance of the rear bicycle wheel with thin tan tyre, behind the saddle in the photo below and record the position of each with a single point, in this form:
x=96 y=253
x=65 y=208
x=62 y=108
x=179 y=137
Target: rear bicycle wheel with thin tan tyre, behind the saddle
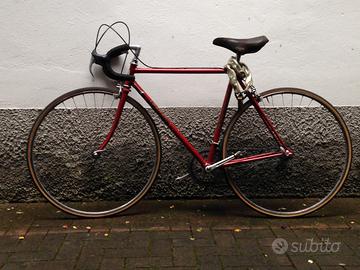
x=296 y=185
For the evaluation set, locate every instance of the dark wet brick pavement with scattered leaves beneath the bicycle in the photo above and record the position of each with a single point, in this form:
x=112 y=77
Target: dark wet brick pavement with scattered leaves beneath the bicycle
x=202 y=234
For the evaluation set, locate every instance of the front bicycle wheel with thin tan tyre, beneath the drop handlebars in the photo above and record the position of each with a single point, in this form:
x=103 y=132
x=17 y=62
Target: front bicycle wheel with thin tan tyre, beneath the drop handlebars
x=60 y=147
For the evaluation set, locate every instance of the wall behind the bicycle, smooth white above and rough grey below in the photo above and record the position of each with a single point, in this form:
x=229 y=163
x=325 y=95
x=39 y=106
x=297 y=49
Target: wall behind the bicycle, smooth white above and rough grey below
x=46 y=45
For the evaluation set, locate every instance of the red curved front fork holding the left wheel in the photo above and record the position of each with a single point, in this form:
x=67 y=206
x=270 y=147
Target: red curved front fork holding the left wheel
x=125 y=89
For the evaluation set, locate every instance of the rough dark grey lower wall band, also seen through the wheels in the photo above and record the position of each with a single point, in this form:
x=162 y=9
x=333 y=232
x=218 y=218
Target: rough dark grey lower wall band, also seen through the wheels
x=64 y=170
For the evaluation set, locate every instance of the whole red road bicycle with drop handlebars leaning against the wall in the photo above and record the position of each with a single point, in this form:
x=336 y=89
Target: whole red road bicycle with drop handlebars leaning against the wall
x=95 y=152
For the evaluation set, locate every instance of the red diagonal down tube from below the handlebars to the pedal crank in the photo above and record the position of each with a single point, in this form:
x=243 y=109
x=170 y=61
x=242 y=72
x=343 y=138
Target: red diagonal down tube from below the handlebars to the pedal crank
x=171 y=125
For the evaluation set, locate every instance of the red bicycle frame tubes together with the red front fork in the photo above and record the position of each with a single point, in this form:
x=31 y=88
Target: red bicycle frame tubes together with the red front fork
x=204 y=161
